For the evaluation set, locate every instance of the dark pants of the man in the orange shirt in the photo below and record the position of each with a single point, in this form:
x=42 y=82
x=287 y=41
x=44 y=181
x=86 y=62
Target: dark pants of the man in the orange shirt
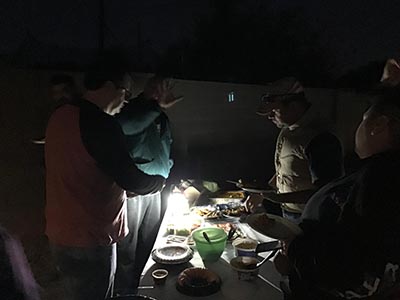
x=86 y=273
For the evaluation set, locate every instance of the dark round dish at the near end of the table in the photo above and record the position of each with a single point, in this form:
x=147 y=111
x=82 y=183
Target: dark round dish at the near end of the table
x=198 y=282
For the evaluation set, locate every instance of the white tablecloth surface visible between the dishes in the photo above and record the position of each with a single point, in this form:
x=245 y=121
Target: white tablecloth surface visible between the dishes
x=266 y=286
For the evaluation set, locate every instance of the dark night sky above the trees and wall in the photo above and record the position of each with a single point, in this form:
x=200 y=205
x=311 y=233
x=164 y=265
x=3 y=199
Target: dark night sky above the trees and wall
x=357 y=31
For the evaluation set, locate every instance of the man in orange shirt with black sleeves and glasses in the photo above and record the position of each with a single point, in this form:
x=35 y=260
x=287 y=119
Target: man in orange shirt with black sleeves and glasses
x=88 y=170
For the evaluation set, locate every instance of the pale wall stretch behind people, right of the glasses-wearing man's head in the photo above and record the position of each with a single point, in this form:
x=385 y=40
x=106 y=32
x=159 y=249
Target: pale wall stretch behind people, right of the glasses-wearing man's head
x=215 y=138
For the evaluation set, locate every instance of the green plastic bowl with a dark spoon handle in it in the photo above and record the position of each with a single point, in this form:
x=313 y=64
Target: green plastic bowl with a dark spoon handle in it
x=210 y=250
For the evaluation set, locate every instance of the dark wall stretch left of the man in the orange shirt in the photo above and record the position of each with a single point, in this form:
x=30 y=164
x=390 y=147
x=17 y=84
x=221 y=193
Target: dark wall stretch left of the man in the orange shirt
x=24 y=104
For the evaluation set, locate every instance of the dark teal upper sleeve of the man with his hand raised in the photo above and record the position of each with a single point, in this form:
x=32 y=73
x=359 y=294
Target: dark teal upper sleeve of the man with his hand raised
x=137 y=115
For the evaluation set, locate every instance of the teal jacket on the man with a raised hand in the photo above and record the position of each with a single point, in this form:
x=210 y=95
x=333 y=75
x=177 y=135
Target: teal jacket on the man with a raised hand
x=148 y=135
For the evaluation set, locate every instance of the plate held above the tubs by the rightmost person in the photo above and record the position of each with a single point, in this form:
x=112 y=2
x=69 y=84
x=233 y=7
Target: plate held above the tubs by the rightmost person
x=274 y=226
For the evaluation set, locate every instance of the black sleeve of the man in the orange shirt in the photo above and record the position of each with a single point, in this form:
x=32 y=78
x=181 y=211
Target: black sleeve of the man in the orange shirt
x=105 y=142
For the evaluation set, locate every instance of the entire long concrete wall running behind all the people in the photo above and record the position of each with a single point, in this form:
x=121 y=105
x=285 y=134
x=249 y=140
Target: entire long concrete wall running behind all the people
x=213 y=138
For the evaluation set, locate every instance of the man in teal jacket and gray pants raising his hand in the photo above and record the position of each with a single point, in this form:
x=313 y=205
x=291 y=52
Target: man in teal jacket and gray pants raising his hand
x=148 y=135
